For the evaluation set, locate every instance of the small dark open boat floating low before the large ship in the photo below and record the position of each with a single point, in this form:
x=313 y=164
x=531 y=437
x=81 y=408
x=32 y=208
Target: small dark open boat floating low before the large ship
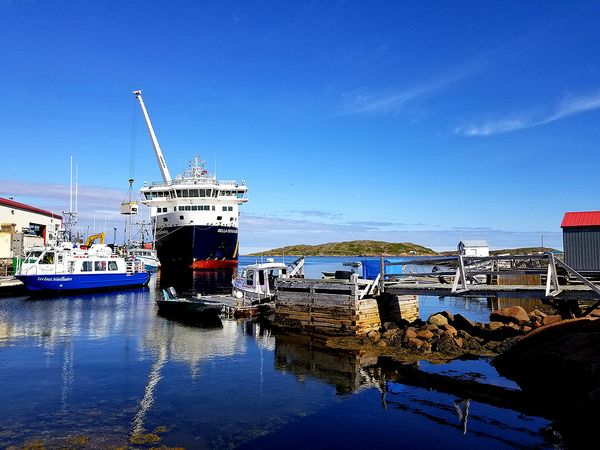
x=196 y=309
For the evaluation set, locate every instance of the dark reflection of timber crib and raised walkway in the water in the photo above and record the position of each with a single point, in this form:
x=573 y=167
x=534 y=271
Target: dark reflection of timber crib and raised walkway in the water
x=456 y=402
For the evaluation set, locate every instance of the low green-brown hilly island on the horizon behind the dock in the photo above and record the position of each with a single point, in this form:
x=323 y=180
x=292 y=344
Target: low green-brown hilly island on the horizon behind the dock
x=351 y=248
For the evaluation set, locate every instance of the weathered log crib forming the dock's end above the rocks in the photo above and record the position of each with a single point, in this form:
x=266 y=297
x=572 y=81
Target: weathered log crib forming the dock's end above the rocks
x=329 y=306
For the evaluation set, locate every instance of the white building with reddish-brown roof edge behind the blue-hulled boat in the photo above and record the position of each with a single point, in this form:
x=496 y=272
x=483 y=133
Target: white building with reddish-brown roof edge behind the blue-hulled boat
x=23 y=226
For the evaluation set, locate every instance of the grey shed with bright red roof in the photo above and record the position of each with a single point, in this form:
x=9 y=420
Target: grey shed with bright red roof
x=581 y=240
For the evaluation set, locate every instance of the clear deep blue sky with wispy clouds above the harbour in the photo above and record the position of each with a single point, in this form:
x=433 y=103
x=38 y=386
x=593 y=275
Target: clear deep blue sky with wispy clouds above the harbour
x=428 y=122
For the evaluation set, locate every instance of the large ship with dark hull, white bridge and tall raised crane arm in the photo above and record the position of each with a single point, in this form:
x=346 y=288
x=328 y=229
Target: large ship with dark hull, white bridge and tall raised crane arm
x=194 y=216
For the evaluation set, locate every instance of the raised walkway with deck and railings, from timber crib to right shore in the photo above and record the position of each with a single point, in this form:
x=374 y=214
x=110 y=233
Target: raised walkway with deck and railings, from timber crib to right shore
x=478 y=276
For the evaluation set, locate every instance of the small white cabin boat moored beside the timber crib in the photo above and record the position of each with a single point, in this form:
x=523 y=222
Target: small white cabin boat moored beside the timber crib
x=256 y=284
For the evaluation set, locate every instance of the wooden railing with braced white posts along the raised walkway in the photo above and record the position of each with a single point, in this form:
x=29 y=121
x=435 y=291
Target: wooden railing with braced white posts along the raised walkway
x=466 y=272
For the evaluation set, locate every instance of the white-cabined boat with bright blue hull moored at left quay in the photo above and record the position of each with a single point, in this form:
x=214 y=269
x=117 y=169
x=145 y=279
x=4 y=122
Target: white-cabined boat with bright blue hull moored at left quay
x=72 y=267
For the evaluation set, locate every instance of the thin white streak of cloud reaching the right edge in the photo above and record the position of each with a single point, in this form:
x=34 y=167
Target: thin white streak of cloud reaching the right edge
x=568 y=107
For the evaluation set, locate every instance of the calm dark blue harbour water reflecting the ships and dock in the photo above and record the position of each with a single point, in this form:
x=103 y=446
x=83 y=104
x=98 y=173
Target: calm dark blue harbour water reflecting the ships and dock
x=106 y=366
